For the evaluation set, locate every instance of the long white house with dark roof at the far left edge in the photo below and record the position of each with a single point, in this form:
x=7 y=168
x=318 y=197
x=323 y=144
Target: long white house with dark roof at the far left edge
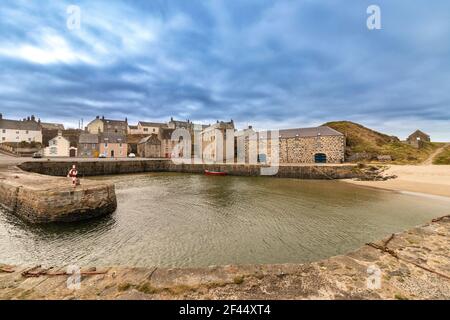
x=28 y=130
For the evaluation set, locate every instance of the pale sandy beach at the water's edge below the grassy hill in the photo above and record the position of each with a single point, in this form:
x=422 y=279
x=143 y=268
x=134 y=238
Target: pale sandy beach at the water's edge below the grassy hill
x=427 y=179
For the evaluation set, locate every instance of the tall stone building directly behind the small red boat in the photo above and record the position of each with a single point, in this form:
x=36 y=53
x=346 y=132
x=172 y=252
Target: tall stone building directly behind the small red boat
x=215 y=145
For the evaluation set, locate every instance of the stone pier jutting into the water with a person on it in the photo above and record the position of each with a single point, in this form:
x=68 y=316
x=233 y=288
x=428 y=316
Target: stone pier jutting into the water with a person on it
x=40 y=199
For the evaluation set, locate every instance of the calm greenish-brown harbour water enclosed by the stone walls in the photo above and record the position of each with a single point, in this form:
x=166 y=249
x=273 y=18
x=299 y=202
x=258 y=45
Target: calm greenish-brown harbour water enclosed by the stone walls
x=194 y=220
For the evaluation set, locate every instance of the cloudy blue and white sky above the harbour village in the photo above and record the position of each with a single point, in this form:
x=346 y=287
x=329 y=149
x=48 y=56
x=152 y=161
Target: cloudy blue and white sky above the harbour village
x=270 y=64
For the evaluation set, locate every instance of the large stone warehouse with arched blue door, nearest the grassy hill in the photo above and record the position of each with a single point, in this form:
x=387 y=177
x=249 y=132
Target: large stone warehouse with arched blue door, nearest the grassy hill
x=311 y=145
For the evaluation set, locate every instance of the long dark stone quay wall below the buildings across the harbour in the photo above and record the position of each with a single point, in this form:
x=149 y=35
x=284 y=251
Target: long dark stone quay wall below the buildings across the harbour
x=96 y=168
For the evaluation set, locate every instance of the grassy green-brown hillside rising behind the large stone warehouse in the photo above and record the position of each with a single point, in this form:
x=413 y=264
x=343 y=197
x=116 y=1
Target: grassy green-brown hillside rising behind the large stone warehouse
x=366 y=144
